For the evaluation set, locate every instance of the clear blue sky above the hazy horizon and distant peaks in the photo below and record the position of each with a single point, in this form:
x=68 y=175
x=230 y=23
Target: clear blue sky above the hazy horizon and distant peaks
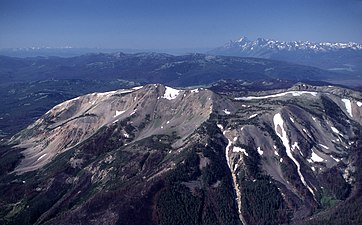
x=173 y=24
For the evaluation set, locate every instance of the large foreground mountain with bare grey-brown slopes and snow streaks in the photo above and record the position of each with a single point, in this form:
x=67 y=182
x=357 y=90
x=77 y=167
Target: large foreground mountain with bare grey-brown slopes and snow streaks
x=158 y=155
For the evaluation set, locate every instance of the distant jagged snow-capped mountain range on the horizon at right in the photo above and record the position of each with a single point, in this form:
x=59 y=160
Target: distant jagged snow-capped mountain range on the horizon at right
x=342 y=57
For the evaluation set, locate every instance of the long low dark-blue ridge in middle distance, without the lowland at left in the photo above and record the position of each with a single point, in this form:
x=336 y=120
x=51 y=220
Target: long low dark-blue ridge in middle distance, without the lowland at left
x=186 y=70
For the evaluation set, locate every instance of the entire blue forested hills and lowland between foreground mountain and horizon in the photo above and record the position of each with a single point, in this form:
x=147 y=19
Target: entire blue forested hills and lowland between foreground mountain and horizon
x=31 y=86
